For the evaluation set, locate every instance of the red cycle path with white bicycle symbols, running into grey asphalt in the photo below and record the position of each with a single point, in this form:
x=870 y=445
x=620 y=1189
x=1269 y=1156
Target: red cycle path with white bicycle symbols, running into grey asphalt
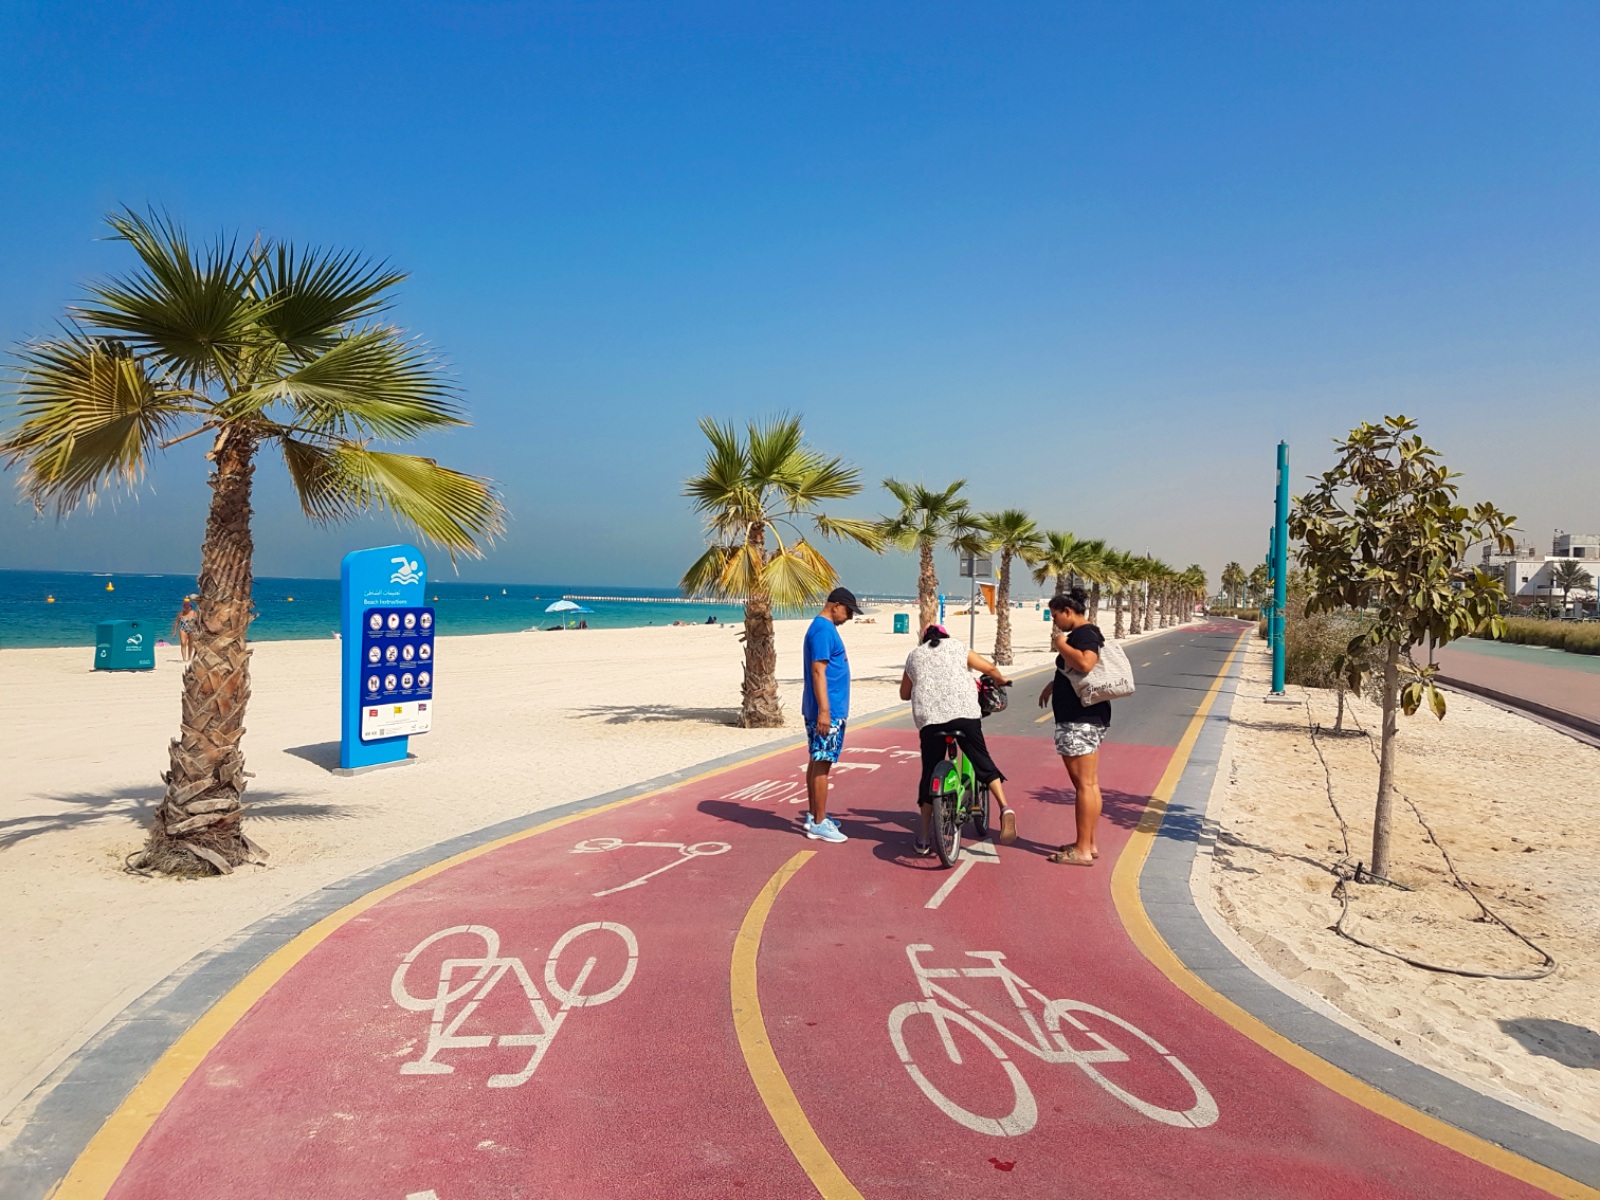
x=681 y=996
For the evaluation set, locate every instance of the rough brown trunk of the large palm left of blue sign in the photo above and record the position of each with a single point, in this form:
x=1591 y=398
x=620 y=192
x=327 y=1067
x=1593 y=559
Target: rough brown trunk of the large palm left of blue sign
x=199 y=818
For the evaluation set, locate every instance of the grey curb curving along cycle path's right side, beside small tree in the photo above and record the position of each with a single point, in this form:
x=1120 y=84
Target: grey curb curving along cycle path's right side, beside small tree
x=1170 y=902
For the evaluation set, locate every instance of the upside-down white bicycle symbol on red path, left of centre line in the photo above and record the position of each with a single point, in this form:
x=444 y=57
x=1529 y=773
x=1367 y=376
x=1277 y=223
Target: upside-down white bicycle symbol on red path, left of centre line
x=482 y=974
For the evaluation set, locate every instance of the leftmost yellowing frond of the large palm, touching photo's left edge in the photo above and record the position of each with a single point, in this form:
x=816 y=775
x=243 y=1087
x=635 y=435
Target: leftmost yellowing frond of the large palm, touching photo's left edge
x=90 y=417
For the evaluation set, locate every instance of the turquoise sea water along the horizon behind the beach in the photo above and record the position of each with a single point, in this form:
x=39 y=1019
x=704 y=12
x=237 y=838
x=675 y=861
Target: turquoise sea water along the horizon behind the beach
x=308 y=609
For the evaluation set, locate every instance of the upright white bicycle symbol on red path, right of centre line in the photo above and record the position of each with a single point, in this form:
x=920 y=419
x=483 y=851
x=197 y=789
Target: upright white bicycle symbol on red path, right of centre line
x=1047 y=1042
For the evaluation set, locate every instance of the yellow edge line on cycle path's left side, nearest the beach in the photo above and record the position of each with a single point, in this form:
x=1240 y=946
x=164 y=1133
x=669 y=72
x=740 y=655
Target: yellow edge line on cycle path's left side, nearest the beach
x=113 y=1146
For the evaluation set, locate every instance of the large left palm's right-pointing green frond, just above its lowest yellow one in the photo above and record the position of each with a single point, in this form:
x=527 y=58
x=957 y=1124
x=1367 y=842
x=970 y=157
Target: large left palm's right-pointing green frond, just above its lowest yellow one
x=372 y=383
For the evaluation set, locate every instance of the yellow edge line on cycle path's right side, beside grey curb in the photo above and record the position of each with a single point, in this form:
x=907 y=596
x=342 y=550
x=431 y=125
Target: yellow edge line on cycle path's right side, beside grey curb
x=1126 y=894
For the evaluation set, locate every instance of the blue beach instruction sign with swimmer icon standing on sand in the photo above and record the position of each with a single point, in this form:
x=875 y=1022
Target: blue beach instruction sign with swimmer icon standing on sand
x=388 y=655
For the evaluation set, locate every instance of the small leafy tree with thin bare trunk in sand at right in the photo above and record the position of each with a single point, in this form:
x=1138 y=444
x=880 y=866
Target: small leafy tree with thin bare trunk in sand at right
x=1385 y=534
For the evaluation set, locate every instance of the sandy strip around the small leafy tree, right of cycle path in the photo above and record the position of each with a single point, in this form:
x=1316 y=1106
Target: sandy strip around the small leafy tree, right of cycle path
x=1518 y=809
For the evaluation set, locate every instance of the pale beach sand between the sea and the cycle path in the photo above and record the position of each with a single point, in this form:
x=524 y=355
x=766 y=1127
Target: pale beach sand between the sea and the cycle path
x=601 y=710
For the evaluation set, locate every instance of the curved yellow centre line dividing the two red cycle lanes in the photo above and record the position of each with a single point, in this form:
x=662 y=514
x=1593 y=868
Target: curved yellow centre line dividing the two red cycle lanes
x=759 y=1058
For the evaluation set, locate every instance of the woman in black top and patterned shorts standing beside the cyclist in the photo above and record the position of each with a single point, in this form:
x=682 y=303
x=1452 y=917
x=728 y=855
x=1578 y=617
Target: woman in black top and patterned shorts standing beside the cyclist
x=1081 y=729
